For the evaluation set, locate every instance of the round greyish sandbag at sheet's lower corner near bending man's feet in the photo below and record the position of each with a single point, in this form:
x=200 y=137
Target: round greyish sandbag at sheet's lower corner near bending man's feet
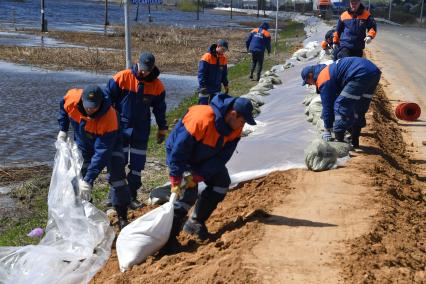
x=320 y=156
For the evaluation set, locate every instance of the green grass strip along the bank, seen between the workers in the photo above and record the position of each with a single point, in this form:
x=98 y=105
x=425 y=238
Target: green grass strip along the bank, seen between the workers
x=34 y=193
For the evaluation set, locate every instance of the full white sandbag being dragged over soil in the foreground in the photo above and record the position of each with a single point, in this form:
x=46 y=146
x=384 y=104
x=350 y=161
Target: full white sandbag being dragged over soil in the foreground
x=145 y=236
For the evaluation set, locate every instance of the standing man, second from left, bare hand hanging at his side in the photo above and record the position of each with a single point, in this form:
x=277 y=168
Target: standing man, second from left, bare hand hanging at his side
x=133 y=93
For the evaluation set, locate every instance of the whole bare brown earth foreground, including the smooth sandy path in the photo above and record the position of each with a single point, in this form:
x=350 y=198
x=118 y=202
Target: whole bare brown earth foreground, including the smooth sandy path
x=389 y=246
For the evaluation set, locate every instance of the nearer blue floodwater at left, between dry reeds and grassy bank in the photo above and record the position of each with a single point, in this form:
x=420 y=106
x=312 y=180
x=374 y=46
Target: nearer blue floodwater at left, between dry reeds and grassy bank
x=29 y=102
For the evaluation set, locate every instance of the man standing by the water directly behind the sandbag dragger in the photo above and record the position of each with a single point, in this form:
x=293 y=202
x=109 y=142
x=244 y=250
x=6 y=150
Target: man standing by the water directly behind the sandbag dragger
x=213 y=72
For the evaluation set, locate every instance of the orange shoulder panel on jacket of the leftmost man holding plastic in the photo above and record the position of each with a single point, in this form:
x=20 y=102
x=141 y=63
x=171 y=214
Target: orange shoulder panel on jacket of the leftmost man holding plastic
x=98 y=125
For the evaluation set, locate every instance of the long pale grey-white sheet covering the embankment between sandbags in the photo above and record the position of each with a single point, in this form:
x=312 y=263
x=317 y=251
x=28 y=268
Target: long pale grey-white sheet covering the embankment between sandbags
x=282 y=134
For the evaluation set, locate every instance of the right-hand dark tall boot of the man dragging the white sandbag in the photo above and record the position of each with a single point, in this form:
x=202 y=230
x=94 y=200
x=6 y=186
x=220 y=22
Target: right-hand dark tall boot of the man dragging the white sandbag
x=196 y=224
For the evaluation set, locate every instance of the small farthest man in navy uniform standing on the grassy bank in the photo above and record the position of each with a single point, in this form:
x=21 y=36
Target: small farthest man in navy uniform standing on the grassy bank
x=257 y=41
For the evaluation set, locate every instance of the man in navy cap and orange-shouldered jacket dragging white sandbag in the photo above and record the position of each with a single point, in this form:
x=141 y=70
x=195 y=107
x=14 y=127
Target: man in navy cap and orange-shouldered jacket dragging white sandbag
x=202 y=142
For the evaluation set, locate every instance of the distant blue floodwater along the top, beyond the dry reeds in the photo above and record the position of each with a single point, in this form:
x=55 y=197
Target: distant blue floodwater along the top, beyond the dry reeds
x=89 y=15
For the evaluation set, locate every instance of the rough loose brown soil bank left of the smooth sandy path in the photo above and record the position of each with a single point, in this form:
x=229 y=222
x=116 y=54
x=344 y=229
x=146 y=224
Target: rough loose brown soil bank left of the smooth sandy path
x=236 y=225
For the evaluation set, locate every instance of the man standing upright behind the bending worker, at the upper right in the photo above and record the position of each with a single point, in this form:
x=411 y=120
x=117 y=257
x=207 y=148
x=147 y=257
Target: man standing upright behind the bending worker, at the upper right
x=350 y=36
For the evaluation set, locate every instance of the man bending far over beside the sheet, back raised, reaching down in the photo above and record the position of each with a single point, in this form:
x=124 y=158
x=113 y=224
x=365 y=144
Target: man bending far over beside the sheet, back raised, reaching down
x=346 y=88
